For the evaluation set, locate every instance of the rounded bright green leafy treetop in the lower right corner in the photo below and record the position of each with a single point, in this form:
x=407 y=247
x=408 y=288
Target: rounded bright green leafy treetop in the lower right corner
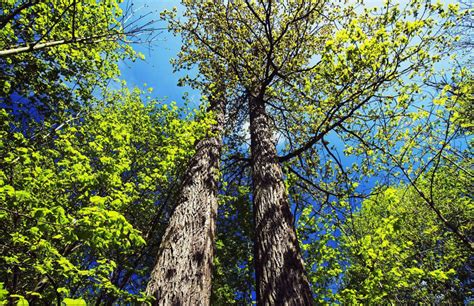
x=399 y=250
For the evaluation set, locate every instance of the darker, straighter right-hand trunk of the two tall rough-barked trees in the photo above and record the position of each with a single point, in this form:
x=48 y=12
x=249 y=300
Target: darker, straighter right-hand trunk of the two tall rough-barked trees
x=281 y=278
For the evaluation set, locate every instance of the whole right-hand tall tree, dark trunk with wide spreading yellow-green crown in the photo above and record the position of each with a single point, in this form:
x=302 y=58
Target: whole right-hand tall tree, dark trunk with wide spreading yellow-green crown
x=310 y=69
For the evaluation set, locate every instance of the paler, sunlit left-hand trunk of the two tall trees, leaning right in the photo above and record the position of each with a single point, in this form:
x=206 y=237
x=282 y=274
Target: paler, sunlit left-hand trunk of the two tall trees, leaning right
x=183 y=269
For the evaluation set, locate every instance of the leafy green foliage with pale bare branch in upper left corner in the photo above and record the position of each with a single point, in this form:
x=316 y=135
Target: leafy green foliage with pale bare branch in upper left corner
x=42 y=80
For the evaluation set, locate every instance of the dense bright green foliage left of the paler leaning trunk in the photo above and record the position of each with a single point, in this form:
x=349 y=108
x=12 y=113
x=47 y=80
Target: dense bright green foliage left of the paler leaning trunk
x=79 y=205
